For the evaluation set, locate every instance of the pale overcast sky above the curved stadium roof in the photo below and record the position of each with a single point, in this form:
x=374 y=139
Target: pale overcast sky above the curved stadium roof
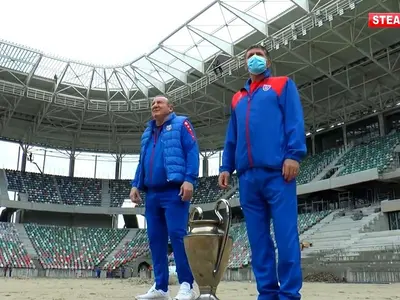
x=95 y=31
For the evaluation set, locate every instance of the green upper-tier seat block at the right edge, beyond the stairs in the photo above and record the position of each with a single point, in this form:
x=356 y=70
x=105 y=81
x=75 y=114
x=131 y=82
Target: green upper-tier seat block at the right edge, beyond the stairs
x=378 y=153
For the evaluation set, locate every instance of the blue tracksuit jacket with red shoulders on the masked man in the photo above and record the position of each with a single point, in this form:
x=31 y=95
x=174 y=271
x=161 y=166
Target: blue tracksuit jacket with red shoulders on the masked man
x=266 y=126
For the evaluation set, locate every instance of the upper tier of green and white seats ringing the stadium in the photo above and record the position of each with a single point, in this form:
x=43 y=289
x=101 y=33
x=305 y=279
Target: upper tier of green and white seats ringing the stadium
x=378 y=153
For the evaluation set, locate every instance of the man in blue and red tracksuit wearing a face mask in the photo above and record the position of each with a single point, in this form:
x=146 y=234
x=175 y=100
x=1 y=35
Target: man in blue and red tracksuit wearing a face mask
x=265 y=143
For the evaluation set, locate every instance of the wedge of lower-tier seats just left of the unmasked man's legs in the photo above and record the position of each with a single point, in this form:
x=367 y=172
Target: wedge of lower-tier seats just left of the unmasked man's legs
x=137 y=247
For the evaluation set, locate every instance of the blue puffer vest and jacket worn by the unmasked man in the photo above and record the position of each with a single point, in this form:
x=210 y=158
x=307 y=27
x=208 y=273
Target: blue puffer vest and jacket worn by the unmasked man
x=175 y=151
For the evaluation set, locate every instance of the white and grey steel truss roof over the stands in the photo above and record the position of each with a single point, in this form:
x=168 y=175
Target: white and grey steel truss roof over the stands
x=344 y=71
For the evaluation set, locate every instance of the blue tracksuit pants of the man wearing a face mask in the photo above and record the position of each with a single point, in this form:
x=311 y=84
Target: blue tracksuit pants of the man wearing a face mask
x=264 y=194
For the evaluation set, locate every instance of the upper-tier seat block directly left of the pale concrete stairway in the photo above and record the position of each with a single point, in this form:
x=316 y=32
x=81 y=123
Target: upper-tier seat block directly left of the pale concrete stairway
x=79 y=191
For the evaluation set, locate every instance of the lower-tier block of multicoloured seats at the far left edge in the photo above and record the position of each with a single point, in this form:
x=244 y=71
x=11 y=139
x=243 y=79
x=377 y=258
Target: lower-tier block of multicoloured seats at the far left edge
x=12 y=250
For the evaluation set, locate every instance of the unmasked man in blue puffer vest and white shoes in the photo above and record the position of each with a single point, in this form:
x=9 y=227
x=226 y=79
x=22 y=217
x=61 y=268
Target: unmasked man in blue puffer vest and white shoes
x=167 y=171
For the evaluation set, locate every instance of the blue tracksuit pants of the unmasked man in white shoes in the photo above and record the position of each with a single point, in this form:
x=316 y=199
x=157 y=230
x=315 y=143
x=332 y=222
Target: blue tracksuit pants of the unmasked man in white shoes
x=167 y=215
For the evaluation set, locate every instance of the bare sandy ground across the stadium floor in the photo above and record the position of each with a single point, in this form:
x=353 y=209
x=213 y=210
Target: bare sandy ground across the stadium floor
x=77 y=289
